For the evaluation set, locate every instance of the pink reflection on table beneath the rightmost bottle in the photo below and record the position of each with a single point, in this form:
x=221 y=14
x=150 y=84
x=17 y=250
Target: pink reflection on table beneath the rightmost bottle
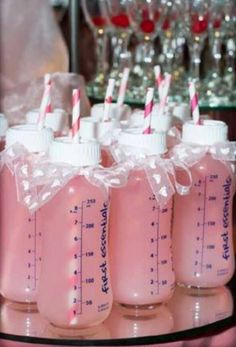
x=192 y=307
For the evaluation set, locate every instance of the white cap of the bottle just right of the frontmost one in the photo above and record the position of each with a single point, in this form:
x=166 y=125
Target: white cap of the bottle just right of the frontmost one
x=154 y=143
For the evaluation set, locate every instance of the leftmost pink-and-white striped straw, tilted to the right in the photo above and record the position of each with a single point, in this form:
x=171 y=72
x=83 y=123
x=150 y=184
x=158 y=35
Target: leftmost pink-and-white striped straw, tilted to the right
x=45 y=106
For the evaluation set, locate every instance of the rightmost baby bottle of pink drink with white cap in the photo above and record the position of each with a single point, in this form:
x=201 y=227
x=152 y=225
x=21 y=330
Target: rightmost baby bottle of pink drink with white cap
x=202 y=225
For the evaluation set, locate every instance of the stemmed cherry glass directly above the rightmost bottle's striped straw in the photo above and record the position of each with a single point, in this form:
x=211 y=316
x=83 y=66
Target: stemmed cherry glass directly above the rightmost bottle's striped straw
x=197 y=20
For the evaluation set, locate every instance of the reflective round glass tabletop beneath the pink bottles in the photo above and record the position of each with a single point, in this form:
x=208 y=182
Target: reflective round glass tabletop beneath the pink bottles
x=190 y=313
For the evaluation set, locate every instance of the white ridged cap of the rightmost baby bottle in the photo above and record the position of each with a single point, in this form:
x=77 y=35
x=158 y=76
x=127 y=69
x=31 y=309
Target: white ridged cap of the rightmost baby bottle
x=208 y=133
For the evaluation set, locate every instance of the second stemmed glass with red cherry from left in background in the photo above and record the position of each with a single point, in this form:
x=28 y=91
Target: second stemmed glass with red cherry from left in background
x=120 y=35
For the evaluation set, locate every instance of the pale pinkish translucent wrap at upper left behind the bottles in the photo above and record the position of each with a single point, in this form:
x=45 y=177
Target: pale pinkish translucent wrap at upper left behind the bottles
x=31 y=46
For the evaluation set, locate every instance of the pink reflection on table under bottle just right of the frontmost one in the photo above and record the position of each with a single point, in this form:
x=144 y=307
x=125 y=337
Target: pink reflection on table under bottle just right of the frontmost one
x=125 y=322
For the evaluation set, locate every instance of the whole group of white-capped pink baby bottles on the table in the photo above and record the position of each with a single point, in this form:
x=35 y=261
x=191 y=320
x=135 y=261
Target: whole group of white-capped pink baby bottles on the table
x=86 y=247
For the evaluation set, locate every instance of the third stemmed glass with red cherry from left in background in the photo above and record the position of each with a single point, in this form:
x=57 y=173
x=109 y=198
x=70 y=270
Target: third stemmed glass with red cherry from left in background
x=145 y=20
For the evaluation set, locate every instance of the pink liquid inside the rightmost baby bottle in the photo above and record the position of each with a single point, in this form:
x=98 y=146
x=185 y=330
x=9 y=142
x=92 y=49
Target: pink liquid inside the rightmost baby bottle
x=202 y=227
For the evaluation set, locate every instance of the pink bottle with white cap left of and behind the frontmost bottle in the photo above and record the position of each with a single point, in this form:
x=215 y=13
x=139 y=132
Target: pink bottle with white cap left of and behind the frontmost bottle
x=21 y=238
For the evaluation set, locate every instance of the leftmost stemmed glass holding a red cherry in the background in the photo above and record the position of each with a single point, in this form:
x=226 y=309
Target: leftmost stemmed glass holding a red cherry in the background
x=95 y=13
